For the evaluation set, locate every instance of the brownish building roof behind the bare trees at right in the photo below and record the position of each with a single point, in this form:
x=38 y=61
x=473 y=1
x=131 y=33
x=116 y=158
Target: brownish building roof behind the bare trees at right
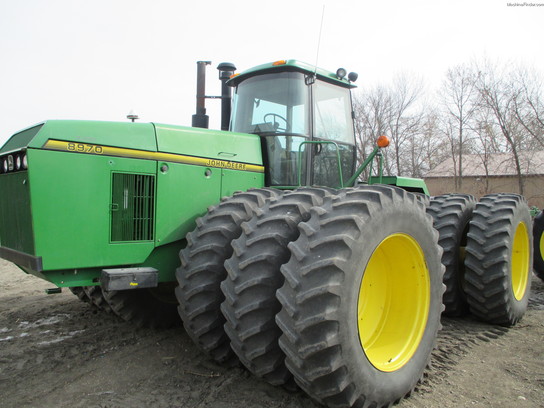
x=498 y=164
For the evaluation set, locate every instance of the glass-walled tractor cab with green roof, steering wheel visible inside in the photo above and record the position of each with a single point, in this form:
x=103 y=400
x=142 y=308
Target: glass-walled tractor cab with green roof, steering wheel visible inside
x=304 y=117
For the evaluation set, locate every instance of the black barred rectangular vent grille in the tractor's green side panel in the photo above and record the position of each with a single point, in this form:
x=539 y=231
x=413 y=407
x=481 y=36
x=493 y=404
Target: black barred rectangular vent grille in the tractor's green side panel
x=132 y=207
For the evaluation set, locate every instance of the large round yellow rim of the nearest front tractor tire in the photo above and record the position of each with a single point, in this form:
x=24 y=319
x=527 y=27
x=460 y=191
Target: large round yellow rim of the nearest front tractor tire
x=393 y=304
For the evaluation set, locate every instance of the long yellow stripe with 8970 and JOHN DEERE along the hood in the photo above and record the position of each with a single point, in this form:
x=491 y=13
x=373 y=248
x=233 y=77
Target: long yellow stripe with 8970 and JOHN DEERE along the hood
x=99 y=150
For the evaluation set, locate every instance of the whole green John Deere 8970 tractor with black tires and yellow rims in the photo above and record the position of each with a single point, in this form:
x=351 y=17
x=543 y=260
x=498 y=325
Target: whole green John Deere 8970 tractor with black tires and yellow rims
x=262 y=238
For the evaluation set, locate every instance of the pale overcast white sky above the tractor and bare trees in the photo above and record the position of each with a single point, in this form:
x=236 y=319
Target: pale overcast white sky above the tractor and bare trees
x=73 y=59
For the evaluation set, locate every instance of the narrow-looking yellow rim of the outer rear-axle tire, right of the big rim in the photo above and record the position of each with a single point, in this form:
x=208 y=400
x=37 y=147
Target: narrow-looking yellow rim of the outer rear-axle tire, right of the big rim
x=520 y=261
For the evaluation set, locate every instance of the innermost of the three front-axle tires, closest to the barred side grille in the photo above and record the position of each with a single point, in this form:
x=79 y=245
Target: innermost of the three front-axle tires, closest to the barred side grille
x=202 y=270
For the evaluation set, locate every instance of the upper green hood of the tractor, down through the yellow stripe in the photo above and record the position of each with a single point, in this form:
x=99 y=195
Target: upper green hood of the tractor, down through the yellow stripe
x=135 y=139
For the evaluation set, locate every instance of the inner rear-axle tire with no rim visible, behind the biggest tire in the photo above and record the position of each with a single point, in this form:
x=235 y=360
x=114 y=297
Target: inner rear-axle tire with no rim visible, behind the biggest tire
x=451 y=214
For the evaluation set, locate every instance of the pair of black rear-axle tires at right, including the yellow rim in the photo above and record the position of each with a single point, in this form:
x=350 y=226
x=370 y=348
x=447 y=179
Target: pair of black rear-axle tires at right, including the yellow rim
x=487 y=255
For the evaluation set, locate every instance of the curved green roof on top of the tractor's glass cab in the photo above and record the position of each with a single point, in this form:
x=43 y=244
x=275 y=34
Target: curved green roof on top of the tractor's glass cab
x=290 y=65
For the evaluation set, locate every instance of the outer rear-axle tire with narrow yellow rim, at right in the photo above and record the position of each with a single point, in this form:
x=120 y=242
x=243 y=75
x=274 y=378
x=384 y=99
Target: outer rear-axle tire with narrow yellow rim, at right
x=499 y=259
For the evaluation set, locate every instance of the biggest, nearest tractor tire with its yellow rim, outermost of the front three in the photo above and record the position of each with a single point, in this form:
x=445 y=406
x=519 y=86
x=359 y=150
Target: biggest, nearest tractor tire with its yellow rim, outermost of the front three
x=362 y=298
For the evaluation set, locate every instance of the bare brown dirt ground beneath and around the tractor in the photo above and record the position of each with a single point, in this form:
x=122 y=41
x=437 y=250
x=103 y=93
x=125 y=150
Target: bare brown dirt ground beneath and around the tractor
x=56 y=351
